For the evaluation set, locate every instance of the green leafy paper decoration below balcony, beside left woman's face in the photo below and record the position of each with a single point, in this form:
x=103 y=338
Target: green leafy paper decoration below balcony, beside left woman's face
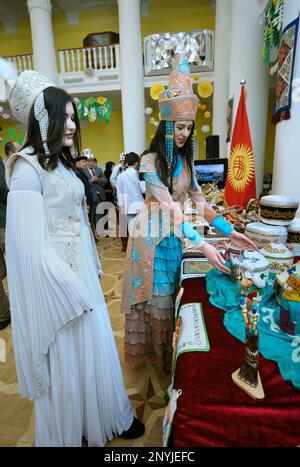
x=94 y=107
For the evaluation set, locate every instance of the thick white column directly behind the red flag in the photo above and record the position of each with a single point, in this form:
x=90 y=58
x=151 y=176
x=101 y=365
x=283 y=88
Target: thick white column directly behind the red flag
x=246 y=62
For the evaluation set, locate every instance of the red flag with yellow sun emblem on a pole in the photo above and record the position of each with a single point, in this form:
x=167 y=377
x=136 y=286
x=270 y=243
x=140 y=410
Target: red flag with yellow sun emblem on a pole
x=240 y=184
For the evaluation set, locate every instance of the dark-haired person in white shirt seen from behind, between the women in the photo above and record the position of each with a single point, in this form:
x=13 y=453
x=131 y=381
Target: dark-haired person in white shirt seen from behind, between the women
x=129 y=193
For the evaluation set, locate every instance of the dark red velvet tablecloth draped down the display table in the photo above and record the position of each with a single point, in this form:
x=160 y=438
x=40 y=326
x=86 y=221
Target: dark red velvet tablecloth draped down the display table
x=212 y=410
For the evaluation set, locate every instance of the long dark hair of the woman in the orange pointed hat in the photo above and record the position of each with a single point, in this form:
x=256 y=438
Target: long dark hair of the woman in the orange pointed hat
x=158 y=146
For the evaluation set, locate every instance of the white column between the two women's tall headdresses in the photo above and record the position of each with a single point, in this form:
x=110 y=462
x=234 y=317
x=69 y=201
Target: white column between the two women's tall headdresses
x=132 y=76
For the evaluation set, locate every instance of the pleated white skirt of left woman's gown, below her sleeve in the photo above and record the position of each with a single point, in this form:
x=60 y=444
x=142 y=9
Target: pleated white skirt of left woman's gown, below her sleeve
x=87 y=396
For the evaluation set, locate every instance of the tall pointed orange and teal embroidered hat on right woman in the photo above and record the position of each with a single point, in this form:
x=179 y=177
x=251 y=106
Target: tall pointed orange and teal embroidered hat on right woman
x=178 y=102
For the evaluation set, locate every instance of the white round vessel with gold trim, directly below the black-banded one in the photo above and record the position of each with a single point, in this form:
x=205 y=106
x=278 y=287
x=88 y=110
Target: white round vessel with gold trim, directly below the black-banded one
x=262 y=234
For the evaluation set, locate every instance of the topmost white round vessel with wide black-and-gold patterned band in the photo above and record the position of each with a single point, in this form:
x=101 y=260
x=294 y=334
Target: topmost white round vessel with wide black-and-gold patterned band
x=278 y=209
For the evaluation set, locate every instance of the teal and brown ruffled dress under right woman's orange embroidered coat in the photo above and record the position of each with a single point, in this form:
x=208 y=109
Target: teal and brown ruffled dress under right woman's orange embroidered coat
x=149 y=328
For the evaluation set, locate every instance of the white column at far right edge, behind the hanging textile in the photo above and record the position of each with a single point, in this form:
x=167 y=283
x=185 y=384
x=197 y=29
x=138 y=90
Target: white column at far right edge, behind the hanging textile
x=286 y=167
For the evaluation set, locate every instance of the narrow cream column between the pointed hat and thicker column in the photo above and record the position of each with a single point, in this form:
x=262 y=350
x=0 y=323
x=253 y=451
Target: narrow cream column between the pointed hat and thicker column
x=221 y=71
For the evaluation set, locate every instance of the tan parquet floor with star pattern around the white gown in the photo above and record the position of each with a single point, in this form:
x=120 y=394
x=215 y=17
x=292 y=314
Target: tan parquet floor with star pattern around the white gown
x=145 y=386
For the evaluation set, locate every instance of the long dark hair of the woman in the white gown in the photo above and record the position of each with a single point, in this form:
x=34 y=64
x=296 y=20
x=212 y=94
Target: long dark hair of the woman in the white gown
x=56 y=100
